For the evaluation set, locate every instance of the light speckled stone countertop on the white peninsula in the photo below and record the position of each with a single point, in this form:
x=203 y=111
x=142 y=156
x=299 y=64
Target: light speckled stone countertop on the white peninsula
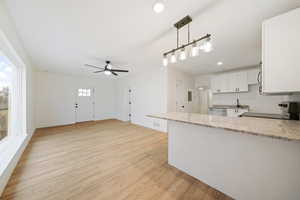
x=275 y=128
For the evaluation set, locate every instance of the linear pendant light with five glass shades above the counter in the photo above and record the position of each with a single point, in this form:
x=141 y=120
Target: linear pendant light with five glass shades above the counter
x=204 y=42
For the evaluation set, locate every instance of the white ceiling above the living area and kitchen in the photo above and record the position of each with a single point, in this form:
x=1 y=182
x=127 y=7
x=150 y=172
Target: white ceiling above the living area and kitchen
x=62 y=35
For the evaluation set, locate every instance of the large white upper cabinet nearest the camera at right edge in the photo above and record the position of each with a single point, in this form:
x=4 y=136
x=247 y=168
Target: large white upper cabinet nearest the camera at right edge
x=281 y=53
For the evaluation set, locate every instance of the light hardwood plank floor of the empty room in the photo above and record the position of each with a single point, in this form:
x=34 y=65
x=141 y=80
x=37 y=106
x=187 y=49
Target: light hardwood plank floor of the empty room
x=101 y=160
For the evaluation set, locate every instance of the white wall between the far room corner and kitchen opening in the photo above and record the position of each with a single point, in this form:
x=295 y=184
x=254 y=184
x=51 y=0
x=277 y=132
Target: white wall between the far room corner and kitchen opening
x=148 y=97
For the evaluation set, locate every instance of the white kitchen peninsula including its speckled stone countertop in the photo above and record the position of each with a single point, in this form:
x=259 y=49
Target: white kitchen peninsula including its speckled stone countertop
x=246 y=158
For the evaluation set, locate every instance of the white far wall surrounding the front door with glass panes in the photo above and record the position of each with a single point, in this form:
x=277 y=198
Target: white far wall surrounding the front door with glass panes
x=56 y=94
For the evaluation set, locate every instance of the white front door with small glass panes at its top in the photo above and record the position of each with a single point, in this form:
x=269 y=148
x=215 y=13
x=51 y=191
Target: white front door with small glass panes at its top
x=84 y=105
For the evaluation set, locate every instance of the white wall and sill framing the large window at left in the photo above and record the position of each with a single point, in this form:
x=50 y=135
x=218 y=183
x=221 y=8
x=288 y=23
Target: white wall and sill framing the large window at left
x=14 y=149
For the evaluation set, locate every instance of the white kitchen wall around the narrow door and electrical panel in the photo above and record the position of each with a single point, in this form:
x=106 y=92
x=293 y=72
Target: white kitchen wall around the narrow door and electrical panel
x=173 y=75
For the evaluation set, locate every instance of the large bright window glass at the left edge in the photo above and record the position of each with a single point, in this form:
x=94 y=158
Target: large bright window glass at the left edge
x=5 y=95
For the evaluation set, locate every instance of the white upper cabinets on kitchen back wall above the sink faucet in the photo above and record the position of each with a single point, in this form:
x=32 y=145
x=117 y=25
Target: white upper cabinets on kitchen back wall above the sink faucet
x=230 y=82
